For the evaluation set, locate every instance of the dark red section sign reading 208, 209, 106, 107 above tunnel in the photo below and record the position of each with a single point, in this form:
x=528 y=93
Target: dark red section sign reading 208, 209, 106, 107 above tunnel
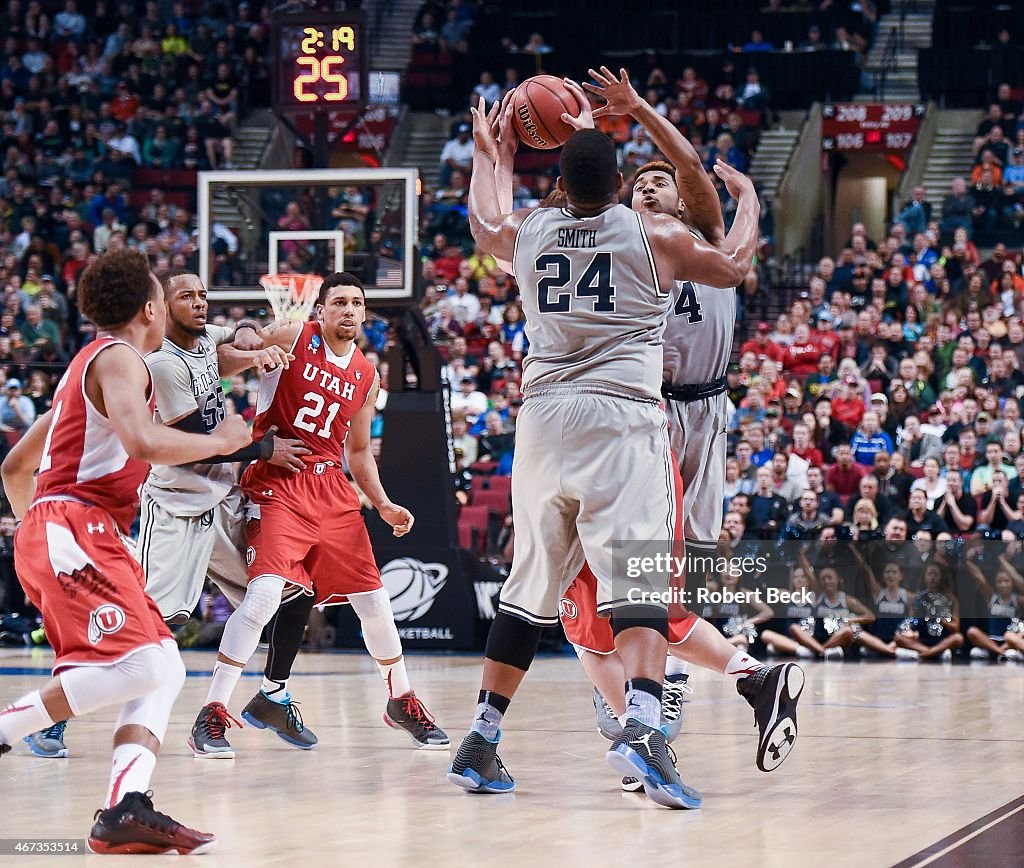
x=870 y=126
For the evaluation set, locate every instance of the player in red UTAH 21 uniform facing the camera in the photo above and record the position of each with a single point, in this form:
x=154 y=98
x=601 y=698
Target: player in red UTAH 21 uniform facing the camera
x=307 y=532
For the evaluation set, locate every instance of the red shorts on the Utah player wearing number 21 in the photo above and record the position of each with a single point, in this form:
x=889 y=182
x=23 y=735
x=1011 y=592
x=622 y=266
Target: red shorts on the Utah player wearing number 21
x=308 y=530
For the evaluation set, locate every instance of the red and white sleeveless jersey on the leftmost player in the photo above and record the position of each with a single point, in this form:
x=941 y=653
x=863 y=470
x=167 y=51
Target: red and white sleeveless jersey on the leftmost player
x=83 y=458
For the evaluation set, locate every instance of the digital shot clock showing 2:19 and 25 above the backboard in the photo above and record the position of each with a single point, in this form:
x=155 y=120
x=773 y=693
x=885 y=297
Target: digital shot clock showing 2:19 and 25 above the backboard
x=320 y=63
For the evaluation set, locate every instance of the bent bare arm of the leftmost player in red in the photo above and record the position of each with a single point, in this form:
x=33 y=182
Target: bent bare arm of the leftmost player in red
x=117 y=382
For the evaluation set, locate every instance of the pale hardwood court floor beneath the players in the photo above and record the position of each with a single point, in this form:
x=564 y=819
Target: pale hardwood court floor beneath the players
x=891 y=759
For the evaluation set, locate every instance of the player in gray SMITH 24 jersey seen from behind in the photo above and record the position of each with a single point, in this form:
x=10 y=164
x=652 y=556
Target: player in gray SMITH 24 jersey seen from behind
x=592 y=463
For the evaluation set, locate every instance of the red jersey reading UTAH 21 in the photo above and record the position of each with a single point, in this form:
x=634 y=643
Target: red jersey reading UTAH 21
x=316 y=400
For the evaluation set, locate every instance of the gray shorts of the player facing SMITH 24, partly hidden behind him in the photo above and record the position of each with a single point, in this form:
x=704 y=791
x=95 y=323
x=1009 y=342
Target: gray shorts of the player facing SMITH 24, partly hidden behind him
x=697 y=430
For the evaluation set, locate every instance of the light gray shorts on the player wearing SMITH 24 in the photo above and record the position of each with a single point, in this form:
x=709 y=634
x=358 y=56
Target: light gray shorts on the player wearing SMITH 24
x=589 y=470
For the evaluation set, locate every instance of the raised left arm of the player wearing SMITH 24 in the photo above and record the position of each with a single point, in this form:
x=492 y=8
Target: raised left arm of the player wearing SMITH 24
x=494 y=231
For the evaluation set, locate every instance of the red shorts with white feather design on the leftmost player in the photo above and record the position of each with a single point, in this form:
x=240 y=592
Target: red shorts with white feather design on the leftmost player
x=77 y=571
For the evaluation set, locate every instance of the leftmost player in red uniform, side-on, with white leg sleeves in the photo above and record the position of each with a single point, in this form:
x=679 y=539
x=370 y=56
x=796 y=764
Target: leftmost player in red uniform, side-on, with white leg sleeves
x=93 y=452
